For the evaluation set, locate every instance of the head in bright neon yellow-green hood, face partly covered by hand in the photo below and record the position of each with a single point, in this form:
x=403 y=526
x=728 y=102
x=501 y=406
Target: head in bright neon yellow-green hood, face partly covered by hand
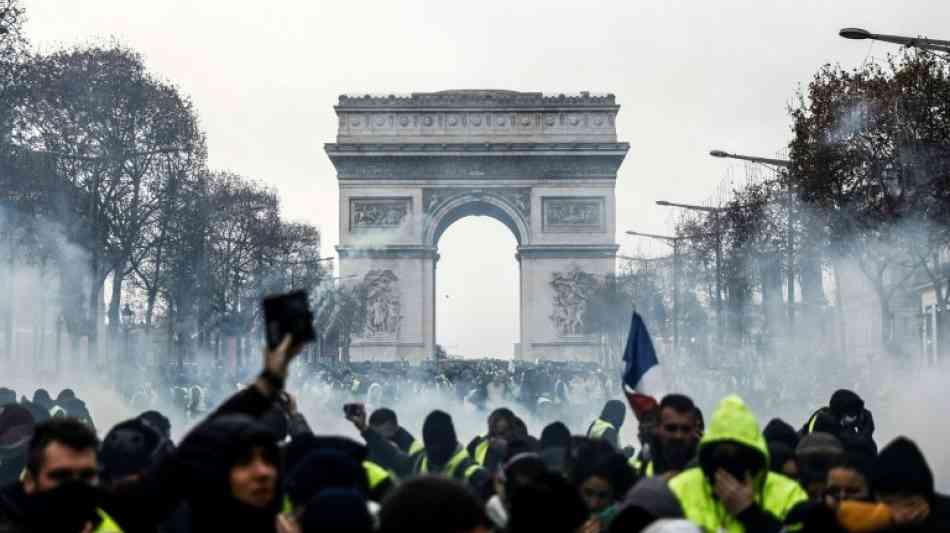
x=733 y=442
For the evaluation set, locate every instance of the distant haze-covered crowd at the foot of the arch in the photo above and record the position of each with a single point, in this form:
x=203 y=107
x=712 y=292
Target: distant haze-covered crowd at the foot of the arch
x=564 y=390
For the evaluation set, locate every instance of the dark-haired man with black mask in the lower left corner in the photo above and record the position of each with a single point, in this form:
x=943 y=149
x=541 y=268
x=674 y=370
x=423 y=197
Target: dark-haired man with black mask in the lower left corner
x=58 y=492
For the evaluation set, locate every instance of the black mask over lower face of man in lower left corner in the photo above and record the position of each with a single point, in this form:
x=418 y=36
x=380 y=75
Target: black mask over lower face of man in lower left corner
x=67 y=508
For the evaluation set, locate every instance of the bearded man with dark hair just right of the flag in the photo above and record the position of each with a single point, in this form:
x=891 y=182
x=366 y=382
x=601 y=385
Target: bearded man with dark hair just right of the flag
x=675 y=439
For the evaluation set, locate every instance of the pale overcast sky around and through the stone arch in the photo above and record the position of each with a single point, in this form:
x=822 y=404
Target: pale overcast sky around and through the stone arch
x=689 y=76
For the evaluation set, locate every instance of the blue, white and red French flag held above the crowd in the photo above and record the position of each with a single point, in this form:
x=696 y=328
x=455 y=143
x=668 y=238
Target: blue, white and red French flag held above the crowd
x=642 y=376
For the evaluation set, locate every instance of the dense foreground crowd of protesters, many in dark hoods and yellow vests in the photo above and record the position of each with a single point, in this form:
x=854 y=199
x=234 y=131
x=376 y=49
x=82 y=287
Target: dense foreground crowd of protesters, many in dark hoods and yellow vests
x=253 y=463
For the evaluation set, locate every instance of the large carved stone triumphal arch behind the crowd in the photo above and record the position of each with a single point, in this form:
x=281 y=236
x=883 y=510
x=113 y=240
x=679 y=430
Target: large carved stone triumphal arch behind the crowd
x=410 y=166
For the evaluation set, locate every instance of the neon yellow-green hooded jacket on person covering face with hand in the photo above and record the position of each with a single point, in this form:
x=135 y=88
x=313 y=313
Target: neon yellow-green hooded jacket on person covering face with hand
x=775 y=494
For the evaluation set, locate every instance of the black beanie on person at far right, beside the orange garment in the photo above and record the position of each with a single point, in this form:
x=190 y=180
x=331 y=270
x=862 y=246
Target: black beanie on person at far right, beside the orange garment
x=902 y=469
